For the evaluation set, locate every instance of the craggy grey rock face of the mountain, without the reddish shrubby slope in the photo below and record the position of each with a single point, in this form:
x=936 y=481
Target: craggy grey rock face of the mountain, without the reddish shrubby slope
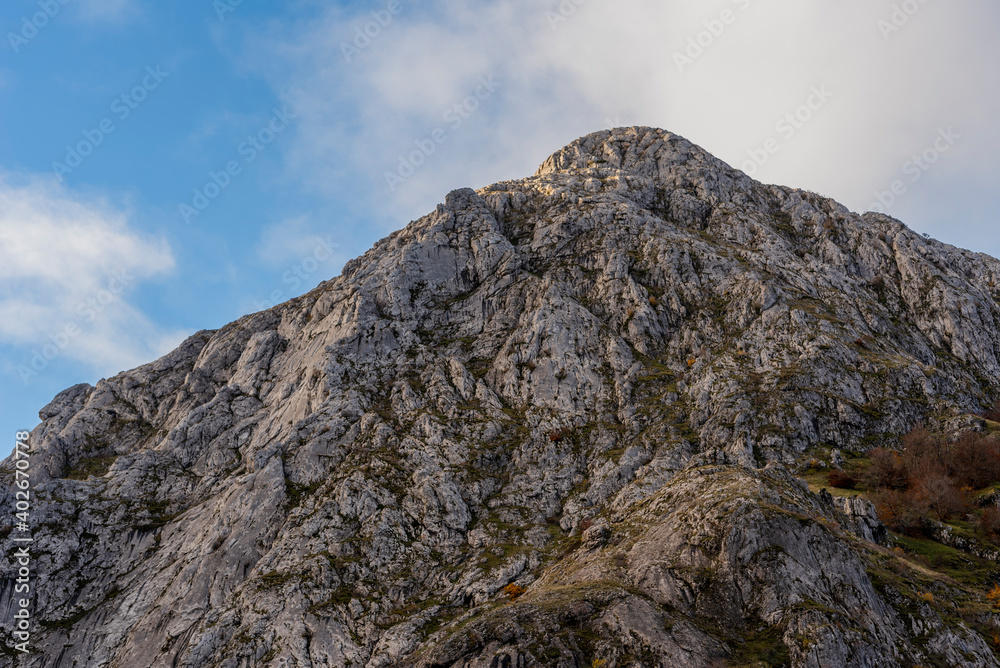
x=638 y=337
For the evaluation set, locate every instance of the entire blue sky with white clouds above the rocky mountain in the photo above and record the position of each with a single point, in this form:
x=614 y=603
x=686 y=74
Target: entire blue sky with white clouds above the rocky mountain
x=167 y=167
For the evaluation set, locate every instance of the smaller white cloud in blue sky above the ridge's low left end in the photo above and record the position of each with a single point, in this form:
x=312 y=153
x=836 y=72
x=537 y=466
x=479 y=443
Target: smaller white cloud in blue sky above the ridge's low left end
x=68 y=266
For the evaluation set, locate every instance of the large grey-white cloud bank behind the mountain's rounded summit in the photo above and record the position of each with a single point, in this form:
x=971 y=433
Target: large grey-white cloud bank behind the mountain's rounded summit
x=618 y=60
